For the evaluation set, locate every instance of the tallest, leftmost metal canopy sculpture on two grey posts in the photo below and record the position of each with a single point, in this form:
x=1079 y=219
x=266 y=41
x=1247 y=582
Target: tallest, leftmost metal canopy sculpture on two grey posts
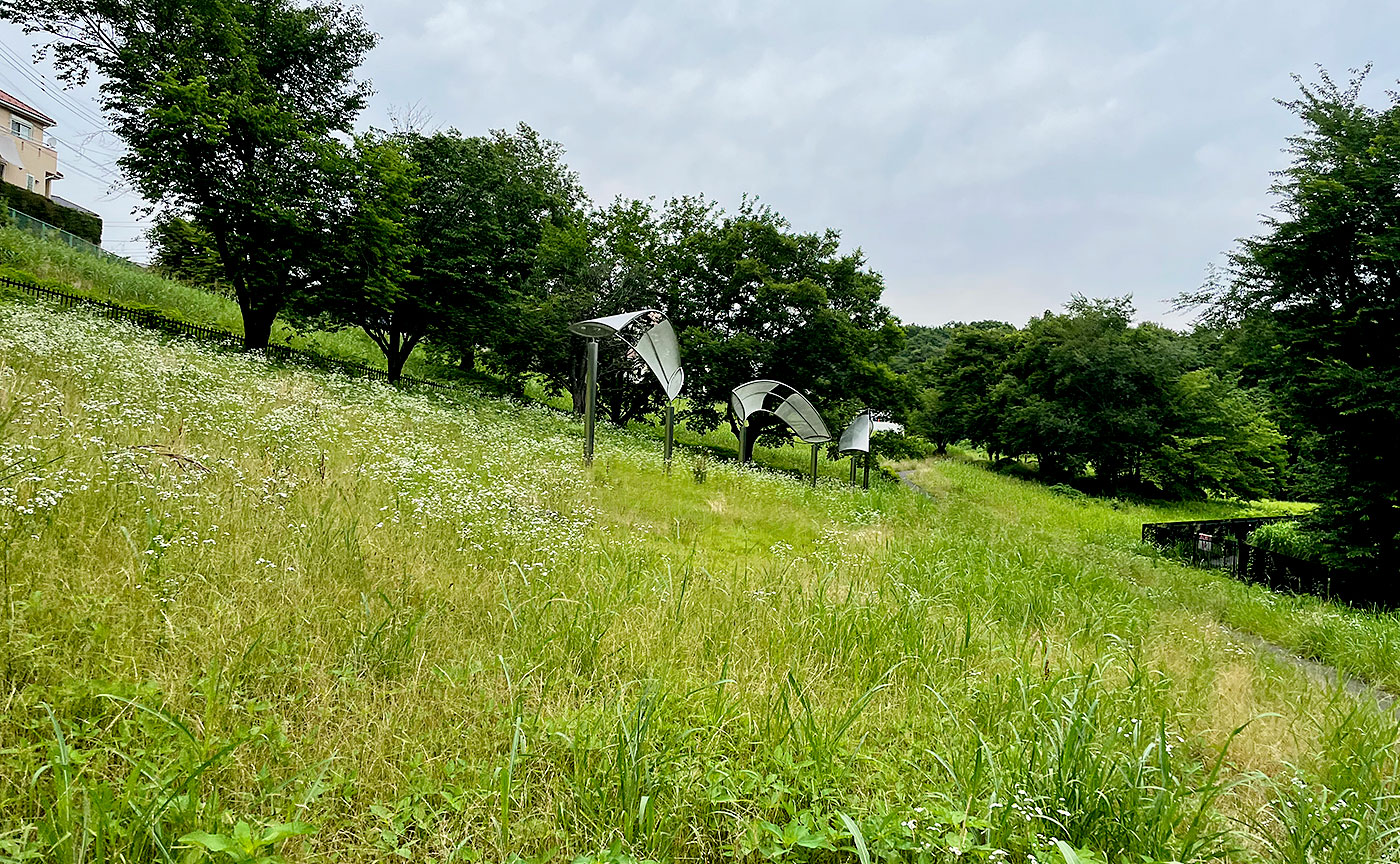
x=652 y=338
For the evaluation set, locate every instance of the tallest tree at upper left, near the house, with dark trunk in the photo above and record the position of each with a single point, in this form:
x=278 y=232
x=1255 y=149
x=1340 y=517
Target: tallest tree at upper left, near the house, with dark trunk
x=226 y=109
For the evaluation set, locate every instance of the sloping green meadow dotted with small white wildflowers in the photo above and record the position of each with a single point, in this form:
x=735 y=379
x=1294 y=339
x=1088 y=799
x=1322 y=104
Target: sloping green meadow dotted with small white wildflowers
x=258 y=613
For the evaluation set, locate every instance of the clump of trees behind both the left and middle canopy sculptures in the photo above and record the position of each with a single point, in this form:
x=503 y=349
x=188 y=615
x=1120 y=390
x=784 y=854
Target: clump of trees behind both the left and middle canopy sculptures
x=750 y=299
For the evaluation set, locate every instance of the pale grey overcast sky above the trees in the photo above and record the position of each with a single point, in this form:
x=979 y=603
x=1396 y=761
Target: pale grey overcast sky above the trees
x=989 y=159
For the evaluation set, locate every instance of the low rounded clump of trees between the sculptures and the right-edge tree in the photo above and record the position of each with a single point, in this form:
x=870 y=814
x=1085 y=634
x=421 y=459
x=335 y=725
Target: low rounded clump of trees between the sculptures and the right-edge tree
x=1097 y=400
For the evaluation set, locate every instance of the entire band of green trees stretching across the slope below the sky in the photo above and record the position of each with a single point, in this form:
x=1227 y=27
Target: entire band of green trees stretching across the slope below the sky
x=484 y=249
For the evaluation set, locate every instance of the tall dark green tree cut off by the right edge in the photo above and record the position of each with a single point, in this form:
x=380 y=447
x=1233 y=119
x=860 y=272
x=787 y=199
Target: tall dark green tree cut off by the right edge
x=1322 y=284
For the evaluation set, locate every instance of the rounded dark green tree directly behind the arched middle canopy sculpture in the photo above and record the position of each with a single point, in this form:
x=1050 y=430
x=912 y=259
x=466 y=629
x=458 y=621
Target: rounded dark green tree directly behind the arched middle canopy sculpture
x=757 y=300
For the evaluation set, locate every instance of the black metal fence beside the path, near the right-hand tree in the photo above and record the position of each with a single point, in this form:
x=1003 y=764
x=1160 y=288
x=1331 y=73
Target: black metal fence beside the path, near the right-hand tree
x=1224 y=545
